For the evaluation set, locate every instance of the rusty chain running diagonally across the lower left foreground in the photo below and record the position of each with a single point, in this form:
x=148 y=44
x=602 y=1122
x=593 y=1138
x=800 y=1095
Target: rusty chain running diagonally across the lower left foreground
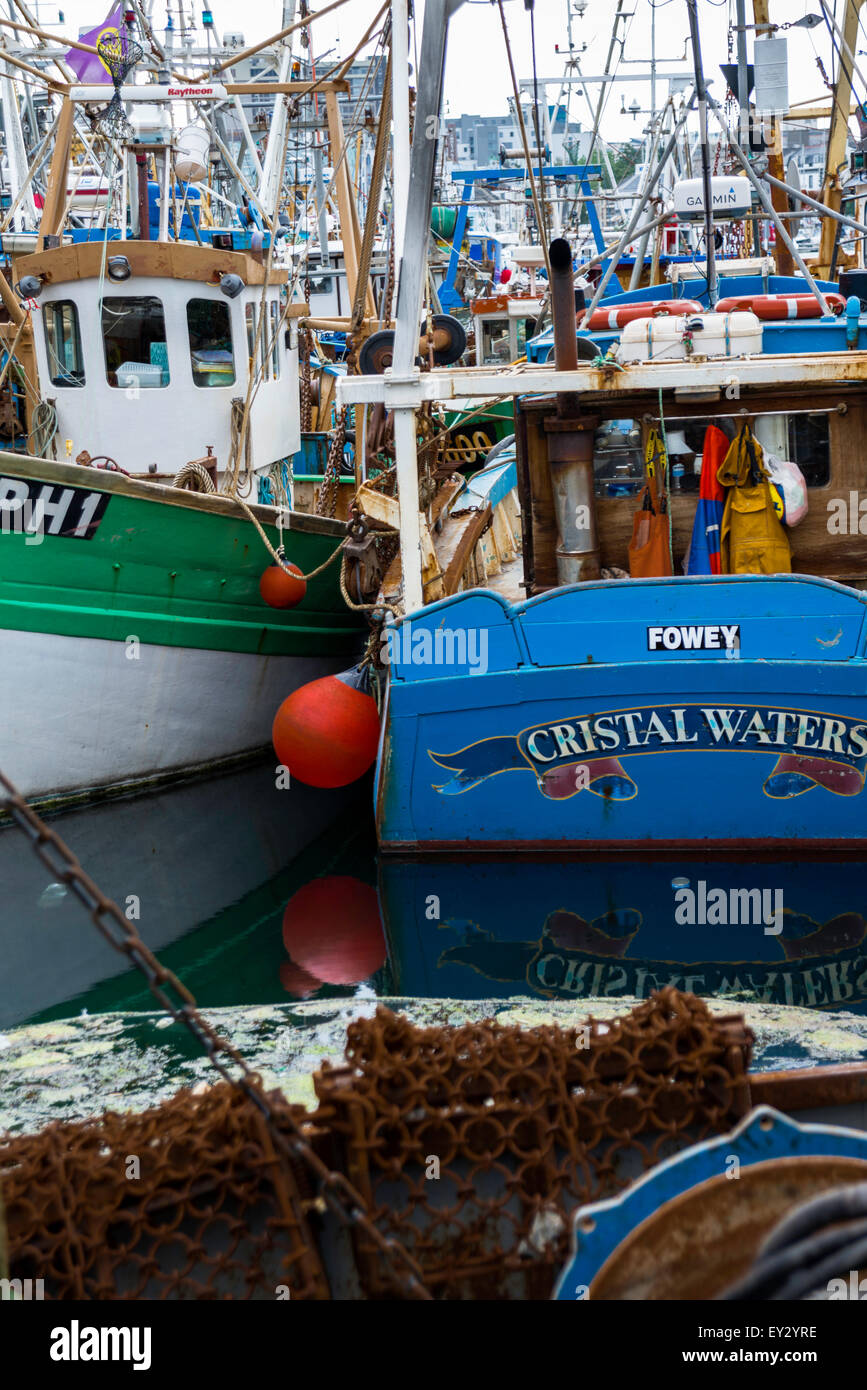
x=334 y=1189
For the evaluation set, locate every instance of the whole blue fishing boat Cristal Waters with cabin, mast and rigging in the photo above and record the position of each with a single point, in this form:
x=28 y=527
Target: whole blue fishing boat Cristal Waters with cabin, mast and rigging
x=568 y=697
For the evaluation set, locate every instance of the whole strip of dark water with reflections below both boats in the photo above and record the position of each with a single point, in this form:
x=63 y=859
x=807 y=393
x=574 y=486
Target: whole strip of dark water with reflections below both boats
x=256 y=896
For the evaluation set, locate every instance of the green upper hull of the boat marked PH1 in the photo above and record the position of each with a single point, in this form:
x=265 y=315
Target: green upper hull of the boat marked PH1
x=177 y=578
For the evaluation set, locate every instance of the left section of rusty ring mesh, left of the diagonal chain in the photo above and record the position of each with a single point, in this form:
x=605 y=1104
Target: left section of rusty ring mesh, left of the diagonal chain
x=187 y=1200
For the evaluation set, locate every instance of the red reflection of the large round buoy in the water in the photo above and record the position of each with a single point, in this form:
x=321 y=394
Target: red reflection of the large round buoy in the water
x=333 y=931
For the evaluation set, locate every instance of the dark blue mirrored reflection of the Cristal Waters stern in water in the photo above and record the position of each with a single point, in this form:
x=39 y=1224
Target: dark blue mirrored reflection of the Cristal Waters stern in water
x=780 y=933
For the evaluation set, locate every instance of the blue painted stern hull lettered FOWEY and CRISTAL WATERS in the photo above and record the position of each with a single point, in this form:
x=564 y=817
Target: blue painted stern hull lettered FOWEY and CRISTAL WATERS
x=591 y=718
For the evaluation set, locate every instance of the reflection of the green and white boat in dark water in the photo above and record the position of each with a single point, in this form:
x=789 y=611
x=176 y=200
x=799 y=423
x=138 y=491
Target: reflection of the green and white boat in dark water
x=204 y=871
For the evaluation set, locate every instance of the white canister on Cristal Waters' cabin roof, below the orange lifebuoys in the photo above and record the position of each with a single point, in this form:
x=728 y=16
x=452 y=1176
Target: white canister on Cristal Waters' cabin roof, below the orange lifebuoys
x=676 y=338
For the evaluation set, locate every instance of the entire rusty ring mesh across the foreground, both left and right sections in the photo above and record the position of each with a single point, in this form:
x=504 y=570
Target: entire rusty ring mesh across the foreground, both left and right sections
x=469 y=1146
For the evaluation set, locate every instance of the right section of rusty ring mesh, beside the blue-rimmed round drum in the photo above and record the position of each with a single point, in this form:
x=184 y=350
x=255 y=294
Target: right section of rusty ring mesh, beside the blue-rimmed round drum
x=473 y=1146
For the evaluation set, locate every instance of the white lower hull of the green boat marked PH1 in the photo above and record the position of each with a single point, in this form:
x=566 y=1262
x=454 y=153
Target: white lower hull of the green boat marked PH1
x=80 y=714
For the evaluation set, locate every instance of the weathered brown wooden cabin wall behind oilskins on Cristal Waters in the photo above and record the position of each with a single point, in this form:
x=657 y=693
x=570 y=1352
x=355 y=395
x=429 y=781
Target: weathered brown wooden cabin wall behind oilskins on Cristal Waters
x=816 y=550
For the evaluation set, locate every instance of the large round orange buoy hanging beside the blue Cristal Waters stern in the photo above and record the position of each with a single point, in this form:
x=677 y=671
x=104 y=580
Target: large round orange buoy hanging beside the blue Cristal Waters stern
x=327 y=732
